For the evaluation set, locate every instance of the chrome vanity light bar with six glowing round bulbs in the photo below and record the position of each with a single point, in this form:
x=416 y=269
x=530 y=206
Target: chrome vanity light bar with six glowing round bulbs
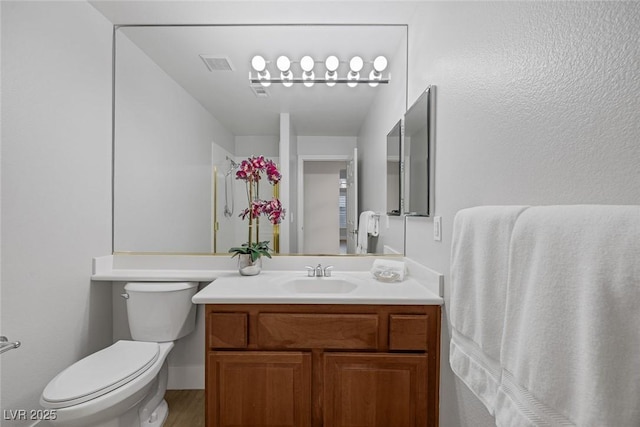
x=307 y=76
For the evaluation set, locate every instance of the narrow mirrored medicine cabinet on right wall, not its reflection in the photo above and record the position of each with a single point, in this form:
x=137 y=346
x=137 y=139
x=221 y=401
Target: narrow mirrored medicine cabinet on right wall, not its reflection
x=418 y=154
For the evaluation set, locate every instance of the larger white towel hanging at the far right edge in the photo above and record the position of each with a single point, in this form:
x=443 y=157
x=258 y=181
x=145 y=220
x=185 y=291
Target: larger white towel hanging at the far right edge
x=571 y=337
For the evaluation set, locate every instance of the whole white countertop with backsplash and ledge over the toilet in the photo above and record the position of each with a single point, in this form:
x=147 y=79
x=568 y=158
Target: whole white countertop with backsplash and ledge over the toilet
x=421 y=285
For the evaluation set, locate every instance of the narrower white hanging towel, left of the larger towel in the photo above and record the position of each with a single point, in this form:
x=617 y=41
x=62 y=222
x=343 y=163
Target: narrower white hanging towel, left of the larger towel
x=479 y=270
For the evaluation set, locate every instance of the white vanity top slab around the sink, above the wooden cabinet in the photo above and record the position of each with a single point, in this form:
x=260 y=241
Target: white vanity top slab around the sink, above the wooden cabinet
x=267 y=288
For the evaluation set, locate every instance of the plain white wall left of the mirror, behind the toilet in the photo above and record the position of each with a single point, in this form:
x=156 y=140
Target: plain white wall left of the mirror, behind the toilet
x=56 y=196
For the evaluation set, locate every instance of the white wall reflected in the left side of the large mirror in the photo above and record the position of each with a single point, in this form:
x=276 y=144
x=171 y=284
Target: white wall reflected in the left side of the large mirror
x=163 y=169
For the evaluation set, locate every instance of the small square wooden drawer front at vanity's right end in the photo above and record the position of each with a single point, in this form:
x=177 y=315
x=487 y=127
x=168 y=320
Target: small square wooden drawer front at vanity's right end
x=408 y=332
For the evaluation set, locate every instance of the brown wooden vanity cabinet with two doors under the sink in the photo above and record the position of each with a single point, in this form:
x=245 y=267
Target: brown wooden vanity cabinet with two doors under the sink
x=322 y=365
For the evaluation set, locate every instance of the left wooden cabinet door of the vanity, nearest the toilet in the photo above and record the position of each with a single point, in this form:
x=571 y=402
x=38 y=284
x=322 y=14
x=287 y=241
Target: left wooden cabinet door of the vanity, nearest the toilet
x=259 y=389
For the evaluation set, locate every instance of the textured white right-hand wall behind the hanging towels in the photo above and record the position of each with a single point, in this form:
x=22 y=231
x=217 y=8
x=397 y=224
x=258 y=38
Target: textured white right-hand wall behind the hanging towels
x=537 y=103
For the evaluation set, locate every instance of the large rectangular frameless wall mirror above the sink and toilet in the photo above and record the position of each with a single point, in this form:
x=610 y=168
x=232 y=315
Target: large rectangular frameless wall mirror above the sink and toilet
x=186 y=113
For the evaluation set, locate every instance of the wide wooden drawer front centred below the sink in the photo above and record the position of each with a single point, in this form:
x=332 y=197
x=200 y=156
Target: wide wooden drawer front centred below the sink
x=326 y=331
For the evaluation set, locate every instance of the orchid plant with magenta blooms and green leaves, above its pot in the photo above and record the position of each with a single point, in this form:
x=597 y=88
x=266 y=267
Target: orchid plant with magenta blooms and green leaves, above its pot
x=251 y=171
